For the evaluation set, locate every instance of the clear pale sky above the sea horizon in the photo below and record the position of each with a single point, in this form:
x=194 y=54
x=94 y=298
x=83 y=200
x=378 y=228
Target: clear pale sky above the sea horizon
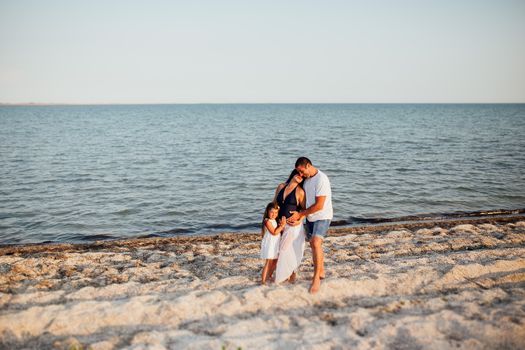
x=246 y=51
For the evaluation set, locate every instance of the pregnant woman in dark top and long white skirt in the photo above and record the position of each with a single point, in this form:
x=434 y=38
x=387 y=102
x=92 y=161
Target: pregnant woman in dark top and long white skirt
x=290 y=197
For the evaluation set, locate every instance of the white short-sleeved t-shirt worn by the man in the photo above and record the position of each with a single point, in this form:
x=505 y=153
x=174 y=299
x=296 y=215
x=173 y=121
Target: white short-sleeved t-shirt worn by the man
x=318 y=186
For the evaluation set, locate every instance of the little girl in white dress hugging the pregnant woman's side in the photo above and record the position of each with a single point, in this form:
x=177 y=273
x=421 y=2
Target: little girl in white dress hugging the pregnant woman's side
x=271 y=233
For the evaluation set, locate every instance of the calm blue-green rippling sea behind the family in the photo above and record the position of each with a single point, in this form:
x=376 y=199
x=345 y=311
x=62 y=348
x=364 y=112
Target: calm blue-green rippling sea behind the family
x=94 y=172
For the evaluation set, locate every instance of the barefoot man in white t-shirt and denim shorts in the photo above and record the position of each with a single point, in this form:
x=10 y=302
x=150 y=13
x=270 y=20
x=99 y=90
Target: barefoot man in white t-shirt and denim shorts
x=318 y=213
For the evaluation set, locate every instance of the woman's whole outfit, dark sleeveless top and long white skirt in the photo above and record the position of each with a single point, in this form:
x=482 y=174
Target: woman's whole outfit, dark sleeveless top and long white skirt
x=291 y=248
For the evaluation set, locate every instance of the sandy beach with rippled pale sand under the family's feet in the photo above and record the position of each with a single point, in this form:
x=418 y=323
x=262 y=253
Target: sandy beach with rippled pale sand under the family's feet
x=434 y=285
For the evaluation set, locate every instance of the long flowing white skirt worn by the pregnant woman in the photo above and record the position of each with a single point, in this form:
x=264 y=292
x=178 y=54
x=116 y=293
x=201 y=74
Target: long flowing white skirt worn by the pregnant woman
x=291 y=252
